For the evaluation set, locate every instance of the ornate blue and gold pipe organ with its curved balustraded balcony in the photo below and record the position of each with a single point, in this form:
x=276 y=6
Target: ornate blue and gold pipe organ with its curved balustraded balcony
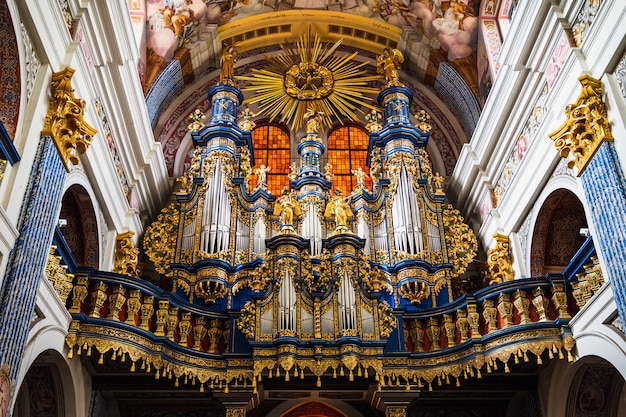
x=317 y=282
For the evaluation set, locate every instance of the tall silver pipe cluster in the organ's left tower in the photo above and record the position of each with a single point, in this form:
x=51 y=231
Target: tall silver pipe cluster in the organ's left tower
x=216 y=215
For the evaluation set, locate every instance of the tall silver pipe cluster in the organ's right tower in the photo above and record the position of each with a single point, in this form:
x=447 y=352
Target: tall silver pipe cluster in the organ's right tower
x=407 y=224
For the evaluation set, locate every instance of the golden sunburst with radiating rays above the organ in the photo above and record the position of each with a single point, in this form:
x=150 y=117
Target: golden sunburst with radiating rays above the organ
x=310 y=75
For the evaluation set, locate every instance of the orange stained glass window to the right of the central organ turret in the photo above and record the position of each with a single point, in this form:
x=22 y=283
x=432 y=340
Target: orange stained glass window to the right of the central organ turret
x=347 y=151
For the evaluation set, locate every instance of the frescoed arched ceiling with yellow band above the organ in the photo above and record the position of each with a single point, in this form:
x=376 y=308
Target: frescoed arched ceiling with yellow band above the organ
x=258 y=29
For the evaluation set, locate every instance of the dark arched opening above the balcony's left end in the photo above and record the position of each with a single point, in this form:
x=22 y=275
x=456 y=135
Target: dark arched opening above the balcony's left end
x=79 y=226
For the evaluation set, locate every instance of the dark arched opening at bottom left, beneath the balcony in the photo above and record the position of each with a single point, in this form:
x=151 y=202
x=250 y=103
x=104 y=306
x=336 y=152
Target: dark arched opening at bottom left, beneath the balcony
x=46 y=389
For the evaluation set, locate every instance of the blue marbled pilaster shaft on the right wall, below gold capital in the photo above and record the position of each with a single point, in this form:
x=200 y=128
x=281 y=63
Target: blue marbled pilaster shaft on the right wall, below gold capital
x=605 y=189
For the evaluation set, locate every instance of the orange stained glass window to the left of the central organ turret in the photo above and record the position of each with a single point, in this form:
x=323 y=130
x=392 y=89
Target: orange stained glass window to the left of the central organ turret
x=274 y=138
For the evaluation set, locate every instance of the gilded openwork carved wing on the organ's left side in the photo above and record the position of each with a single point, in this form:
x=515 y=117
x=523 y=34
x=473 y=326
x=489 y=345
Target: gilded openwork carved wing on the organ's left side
x=159 y=241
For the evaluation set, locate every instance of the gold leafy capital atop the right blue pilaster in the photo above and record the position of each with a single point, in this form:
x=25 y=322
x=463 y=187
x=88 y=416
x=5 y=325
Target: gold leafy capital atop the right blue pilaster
x=586 y=126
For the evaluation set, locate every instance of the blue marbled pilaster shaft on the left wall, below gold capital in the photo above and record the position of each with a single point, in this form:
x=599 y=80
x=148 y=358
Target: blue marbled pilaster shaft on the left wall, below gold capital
x=27 y=260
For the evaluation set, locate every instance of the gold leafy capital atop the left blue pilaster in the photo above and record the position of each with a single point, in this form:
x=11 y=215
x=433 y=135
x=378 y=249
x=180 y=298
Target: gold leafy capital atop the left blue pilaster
x=65 y=121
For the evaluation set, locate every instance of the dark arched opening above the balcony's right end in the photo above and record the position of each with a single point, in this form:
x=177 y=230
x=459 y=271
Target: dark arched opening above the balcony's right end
x=556 y=233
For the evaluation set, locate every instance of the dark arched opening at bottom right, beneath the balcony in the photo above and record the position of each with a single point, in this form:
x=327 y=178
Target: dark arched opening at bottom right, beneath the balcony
x=596 y=390
